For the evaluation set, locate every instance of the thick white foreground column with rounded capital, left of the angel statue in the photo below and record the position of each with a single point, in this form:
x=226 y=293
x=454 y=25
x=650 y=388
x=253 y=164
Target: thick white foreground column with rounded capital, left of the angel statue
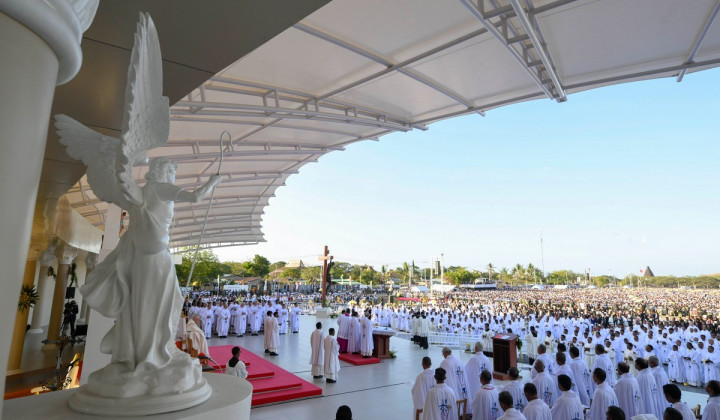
x=40 y=47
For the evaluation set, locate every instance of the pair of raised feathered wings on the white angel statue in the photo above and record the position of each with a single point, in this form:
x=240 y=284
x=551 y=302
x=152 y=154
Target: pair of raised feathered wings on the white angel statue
x=146 y=125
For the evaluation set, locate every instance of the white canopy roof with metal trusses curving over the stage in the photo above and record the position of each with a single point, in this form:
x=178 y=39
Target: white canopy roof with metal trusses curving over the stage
x=357 y=70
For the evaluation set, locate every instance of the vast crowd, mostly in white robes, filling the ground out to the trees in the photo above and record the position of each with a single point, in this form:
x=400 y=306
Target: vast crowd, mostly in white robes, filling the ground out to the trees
x=593 y=348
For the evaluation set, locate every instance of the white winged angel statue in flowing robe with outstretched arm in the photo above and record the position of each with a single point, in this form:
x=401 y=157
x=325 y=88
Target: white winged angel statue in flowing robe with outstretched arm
x=136 y=284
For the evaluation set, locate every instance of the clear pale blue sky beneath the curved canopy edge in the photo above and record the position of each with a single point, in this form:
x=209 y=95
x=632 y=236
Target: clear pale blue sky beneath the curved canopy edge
x=617 y=178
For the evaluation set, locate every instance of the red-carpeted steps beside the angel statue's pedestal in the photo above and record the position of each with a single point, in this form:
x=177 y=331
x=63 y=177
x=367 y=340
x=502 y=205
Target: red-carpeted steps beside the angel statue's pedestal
x=271 y=384
